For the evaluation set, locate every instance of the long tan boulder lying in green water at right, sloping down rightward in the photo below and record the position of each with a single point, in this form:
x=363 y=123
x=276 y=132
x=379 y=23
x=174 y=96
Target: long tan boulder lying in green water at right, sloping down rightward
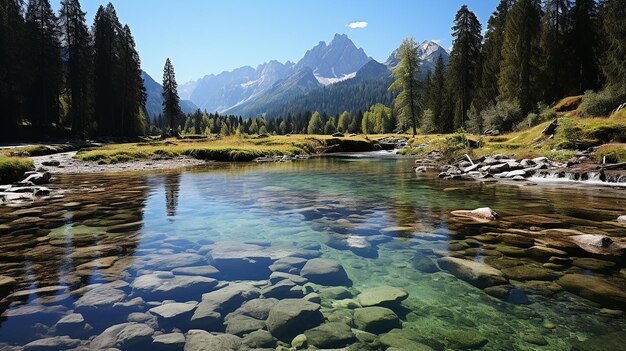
x=478 y=274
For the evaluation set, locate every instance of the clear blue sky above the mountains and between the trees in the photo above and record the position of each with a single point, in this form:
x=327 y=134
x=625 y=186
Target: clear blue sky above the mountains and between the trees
x=209 y=36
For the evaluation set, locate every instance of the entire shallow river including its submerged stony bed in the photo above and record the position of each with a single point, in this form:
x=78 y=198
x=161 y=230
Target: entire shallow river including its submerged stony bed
x=85 y=261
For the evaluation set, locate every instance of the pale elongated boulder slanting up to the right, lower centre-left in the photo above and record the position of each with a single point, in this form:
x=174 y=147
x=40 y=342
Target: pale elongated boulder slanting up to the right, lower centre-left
x=215 y=305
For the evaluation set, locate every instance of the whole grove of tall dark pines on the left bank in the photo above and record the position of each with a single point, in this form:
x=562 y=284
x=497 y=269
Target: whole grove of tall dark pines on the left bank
x=60 y=78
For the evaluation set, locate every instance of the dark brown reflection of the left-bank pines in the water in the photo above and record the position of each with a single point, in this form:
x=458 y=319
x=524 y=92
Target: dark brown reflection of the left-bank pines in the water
x=100 y=204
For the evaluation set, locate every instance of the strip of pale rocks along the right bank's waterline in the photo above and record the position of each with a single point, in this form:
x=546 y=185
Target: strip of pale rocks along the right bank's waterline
x=506 y=168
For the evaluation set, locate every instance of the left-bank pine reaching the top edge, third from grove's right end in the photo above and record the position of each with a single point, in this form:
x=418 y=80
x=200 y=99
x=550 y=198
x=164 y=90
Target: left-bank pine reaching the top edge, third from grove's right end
x=77 y=43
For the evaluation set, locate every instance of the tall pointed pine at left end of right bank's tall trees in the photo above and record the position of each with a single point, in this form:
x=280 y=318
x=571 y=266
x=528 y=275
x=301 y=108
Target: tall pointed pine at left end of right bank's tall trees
x=465 y=62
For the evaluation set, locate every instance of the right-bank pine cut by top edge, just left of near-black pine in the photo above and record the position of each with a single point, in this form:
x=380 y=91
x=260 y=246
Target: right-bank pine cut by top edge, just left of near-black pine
x=555 y=26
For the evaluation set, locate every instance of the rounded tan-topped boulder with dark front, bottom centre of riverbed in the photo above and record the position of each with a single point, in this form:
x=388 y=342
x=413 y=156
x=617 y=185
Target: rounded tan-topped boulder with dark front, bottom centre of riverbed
x=290 y=317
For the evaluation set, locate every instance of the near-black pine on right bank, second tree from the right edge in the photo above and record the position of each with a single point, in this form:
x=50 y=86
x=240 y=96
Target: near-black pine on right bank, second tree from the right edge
x=584 y=67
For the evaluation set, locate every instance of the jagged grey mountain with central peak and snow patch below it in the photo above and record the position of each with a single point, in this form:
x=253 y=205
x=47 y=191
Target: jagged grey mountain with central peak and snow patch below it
x=245 y=88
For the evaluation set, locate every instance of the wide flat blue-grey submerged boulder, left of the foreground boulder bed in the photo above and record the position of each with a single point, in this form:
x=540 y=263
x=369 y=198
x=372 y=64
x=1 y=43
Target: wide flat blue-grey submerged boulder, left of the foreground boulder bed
x=167 y=286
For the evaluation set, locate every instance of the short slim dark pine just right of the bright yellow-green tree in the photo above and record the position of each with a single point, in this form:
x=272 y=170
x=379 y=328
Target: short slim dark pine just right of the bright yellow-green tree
x=436 y=100
